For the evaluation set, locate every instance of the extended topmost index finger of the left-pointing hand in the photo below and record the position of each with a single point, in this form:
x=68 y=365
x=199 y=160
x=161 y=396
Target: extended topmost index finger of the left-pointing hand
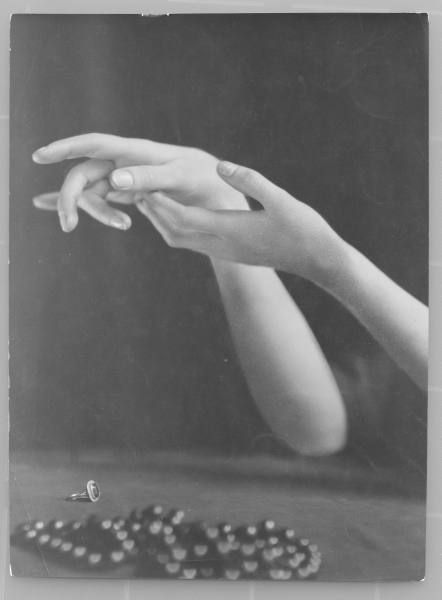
x=105 y=147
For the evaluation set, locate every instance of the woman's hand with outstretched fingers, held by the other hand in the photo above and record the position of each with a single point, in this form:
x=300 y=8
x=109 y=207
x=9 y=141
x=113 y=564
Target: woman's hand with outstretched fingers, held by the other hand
x=187 y=175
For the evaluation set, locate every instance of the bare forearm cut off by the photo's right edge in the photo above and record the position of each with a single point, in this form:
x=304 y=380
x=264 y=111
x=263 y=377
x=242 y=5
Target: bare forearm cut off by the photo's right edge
x=397 y=320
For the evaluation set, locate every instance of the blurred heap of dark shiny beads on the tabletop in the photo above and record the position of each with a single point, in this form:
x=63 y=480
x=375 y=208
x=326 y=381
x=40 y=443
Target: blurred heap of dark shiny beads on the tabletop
x=162 y=544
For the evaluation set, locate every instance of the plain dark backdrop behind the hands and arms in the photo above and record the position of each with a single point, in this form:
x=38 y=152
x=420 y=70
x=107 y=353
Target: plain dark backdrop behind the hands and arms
x=118 y=340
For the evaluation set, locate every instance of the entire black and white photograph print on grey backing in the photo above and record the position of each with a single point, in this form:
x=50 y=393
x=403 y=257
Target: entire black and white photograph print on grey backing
x=218 y=296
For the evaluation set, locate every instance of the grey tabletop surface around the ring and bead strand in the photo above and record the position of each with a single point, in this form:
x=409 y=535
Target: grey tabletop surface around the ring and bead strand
x=365 y=531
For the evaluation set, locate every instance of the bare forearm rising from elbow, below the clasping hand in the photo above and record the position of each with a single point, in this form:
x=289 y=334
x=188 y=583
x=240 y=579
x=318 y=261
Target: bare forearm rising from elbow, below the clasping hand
x=285 y=369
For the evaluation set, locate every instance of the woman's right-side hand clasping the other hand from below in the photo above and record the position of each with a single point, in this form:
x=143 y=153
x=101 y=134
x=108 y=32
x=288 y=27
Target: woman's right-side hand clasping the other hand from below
x=287 y=234
